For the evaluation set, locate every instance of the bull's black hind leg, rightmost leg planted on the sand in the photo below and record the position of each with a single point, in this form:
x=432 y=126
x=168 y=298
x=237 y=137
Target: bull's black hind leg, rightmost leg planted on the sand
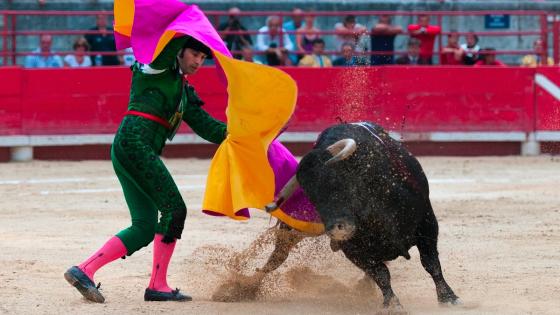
x=427 y=246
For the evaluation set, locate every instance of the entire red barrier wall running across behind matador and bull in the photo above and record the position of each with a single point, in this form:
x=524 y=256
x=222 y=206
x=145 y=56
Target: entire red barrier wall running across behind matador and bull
x=403 y=99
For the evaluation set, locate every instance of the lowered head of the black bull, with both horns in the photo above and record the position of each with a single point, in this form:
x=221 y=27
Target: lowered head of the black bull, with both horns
x=324 y=184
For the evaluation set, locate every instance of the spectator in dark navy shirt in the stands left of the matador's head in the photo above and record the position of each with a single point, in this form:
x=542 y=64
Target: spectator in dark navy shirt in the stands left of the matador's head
x=103 y=42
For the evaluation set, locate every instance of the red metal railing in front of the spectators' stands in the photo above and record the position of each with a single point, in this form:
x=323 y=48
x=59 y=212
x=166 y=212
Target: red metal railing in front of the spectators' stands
x=10 y=33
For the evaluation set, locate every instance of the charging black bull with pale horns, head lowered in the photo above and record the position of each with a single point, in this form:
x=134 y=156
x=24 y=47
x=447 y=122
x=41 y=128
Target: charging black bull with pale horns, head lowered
x=373 y=198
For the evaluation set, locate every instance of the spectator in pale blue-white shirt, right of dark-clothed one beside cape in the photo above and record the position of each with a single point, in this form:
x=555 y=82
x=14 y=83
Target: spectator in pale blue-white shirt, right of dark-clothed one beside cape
x=275 y=48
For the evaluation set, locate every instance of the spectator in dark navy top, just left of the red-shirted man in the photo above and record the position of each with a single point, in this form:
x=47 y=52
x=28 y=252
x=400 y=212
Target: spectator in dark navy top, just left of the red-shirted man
x=383 y=40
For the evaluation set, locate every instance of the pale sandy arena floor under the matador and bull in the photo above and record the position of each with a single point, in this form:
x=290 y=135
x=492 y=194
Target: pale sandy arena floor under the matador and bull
x=499 y=245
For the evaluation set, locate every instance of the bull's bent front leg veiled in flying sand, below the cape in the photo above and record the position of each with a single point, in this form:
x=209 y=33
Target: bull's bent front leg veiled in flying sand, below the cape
x=285 y=240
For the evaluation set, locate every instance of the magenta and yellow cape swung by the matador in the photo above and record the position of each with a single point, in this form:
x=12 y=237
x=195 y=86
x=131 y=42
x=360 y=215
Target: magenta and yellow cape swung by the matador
x=250 y=166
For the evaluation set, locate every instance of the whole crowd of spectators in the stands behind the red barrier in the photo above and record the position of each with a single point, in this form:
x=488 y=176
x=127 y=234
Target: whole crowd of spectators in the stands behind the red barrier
x=299 y=42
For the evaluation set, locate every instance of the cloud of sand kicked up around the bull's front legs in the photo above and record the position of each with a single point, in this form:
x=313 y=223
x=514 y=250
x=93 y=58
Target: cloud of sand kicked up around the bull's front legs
x=294 y=278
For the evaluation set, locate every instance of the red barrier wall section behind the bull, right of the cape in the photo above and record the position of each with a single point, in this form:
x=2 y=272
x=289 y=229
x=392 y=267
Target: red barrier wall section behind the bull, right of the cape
x=417 y=99
